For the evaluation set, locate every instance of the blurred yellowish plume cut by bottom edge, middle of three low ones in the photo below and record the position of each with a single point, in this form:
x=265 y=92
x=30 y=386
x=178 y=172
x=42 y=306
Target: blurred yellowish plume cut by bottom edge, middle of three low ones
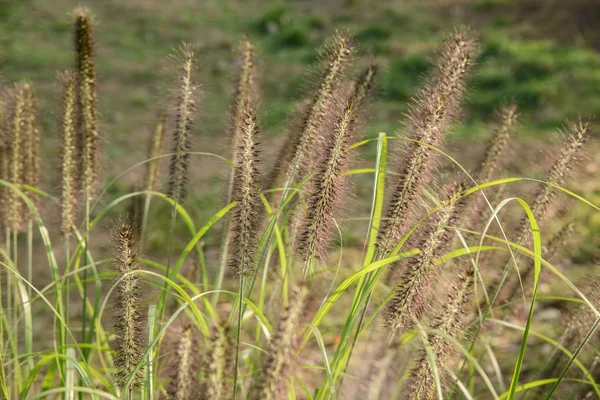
x=218 y=366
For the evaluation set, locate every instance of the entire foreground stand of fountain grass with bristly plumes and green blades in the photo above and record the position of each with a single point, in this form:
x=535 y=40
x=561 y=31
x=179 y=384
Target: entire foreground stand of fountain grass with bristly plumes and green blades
x=441 y=304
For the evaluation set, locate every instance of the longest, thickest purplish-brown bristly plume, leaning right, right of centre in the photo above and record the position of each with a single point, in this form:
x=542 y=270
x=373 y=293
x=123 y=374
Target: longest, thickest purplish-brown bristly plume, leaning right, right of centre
x=428 y=120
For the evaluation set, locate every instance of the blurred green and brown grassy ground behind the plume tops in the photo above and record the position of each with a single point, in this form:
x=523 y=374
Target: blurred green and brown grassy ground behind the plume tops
x=541 y=54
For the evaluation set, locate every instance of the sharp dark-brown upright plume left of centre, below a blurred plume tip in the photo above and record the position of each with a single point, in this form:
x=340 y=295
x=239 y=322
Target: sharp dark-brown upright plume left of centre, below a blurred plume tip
x=244 y=221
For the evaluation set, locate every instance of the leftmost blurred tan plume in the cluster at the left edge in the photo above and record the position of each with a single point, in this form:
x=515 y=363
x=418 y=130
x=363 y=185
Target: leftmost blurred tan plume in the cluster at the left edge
x=16 y=162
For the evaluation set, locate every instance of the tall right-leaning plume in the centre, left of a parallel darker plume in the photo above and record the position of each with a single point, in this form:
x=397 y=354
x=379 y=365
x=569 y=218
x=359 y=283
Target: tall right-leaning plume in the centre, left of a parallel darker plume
x=335 y=56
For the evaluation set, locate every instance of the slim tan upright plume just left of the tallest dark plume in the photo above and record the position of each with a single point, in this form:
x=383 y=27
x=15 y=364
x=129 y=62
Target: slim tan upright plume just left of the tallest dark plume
x=68 y=156
